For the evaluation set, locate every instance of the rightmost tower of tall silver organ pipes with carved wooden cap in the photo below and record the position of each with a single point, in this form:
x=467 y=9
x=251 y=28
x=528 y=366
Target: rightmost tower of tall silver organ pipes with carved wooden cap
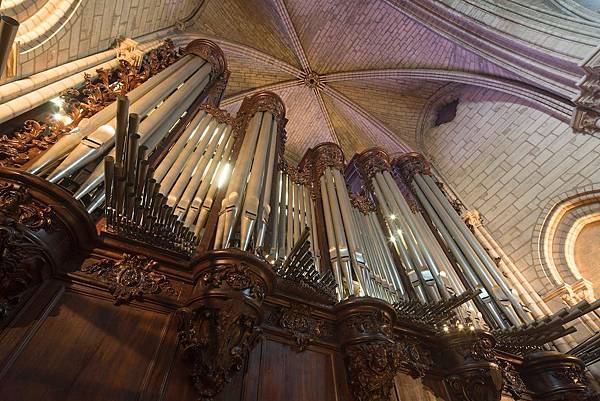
x=470 y=255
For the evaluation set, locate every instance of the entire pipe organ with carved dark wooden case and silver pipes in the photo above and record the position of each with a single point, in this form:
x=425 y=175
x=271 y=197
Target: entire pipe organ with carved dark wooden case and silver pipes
x=157 y=248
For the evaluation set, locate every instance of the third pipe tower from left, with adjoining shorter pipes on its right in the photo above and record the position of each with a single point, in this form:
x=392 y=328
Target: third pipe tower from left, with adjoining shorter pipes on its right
x=361 y=262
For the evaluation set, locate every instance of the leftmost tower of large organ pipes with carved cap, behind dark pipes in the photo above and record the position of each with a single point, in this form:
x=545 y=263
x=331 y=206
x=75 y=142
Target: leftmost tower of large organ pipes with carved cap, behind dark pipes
x=160 y=103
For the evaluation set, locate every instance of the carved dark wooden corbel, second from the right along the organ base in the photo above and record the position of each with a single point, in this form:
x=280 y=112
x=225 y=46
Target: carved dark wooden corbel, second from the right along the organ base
x=474 y=374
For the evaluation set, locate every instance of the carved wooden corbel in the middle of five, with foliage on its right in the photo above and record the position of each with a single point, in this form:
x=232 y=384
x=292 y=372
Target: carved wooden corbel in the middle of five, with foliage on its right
x=373 y=355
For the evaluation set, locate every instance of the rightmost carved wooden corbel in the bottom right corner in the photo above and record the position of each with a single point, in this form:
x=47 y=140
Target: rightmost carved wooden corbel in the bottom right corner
x=553 y=376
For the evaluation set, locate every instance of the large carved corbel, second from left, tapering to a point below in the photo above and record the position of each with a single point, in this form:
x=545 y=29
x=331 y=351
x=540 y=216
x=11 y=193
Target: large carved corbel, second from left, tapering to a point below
x=220 y=325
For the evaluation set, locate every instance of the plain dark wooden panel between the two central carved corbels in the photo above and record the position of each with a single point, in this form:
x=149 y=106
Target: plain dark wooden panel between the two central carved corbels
x=287 y=375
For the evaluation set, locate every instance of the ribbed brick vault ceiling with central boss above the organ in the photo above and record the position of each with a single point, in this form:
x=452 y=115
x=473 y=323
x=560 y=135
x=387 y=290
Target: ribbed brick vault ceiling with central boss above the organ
x=339 y=65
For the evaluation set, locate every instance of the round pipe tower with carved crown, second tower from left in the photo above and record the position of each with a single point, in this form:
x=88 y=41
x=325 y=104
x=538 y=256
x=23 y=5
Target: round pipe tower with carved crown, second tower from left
x=245 y=209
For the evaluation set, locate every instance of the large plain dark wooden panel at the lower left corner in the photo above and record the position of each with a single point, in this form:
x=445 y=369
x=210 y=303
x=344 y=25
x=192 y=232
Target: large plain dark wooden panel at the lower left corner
x=86 y=349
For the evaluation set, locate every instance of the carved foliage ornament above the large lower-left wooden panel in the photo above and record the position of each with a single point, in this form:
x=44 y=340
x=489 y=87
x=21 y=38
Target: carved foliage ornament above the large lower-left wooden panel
x=130 y=278
